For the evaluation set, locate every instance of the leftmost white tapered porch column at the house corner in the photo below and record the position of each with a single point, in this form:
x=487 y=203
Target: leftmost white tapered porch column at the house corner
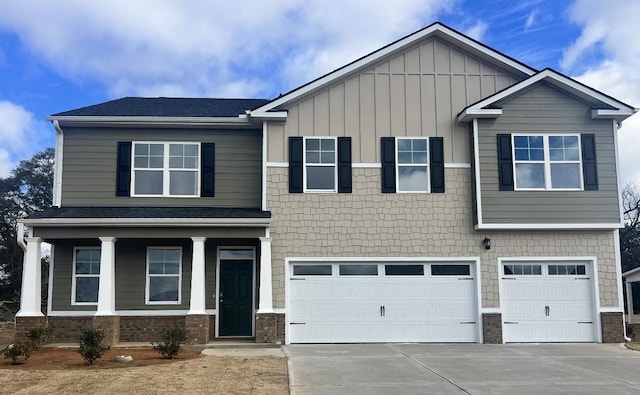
x=30 y=295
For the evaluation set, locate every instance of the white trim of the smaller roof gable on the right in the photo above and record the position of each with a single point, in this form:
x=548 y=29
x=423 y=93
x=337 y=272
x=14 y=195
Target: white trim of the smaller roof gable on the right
x=603 y=106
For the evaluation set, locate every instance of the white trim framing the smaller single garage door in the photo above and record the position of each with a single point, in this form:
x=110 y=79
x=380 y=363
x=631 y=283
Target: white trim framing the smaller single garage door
x=543 y=259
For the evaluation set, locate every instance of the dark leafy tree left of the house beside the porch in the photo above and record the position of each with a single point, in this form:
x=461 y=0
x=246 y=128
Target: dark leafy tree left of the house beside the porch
x=28 y=189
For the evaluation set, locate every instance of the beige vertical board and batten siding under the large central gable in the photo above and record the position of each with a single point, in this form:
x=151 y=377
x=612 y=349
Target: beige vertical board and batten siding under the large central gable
x=418 y=92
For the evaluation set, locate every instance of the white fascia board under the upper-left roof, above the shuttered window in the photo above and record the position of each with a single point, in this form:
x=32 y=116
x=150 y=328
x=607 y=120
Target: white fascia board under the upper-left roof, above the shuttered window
x=156 y=121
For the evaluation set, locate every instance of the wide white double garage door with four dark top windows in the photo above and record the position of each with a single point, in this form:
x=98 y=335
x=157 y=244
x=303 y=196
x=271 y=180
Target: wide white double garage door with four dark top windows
x=377 y=302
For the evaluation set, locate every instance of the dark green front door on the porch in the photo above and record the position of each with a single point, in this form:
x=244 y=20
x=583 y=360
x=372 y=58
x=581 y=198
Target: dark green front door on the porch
x=235 y=298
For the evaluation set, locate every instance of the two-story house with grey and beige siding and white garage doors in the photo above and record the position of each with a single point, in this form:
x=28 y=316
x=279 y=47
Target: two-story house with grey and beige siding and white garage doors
x=435 y=190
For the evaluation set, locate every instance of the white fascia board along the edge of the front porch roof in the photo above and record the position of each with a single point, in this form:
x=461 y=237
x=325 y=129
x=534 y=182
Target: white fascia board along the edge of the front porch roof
x=147 y=222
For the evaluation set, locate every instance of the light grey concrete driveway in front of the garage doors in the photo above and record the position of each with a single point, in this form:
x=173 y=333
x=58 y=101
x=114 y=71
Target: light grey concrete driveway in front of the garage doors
x=463 y=369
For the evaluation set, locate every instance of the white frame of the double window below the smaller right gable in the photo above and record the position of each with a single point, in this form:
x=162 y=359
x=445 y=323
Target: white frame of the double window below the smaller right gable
x=547 y=162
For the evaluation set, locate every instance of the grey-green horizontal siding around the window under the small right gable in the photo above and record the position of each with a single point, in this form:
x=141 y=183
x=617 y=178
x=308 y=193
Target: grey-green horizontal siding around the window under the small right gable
x=544 y=109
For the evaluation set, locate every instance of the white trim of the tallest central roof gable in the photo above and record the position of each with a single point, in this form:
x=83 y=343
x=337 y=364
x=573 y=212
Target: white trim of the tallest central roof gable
x=269 y=110
